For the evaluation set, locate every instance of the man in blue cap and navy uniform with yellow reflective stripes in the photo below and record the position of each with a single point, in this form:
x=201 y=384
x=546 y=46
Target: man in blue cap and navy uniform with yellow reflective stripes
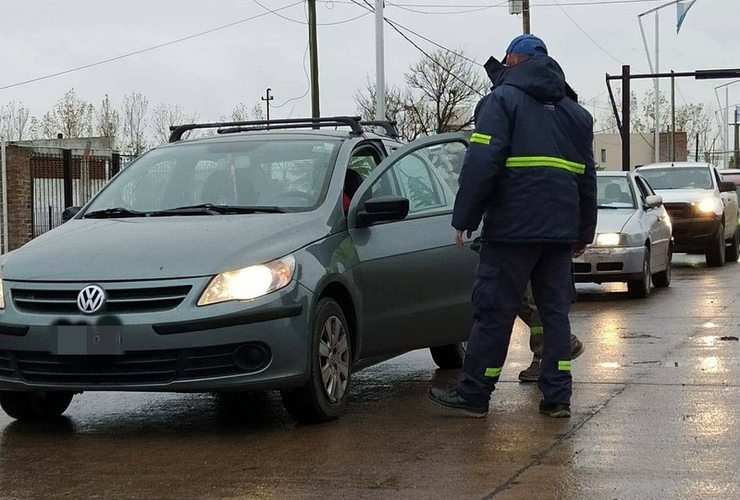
x=529 y=175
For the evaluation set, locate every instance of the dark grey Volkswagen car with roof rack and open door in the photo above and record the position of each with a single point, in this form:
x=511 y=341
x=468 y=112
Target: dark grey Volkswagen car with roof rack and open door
x=253 y=259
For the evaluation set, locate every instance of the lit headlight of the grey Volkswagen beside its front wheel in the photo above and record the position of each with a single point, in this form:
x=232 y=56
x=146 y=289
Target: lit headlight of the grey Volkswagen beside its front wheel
x=249 y=282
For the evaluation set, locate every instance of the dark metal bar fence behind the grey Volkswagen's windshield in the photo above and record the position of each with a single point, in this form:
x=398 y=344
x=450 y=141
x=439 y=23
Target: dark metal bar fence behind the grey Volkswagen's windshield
x=65 y=178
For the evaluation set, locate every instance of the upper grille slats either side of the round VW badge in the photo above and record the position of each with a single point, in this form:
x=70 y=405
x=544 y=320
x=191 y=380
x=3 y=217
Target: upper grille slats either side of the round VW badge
x=120 y=300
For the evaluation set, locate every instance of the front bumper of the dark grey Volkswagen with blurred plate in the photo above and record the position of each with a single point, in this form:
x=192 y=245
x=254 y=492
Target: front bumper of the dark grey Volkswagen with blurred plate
x=260 y=344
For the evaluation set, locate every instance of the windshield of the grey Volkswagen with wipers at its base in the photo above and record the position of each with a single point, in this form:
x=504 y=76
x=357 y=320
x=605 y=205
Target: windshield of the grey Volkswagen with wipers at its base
x=280 y=175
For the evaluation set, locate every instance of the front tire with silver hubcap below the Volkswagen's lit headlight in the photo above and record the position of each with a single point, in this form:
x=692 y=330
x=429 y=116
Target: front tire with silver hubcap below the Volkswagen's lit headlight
x=324 y=396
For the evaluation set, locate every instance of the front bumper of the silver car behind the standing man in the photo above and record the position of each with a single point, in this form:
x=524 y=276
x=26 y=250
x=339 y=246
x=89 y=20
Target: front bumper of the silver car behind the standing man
x=603 y=265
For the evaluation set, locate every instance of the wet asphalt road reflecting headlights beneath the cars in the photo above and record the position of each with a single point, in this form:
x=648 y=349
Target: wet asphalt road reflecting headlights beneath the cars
x=655 y=404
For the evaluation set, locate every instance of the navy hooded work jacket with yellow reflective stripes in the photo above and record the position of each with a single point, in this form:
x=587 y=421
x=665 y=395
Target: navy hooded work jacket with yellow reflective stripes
x=529 y=167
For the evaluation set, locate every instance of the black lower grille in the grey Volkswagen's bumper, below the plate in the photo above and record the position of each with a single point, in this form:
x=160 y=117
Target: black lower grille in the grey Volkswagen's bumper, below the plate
x=138 y=367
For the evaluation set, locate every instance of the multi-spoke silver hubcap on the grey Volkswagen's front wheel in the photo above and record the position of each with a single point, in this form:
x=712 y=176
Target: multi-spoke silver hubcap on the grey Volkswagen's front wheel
x=334 y=358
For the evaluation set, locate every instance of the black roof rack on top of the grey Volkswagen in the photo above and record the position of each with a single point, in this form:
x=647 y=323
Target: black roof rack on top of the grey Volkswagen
x=353 y=122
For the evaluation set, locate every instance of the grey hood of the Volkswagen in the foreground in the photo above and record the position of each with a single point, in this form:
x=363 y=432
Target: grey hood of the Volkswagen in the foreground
x=159 y=248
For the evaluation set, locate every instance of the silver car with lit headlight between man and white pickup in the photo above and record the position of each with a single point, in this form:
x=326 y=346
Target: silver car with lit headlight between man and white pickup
x=633 y=236
